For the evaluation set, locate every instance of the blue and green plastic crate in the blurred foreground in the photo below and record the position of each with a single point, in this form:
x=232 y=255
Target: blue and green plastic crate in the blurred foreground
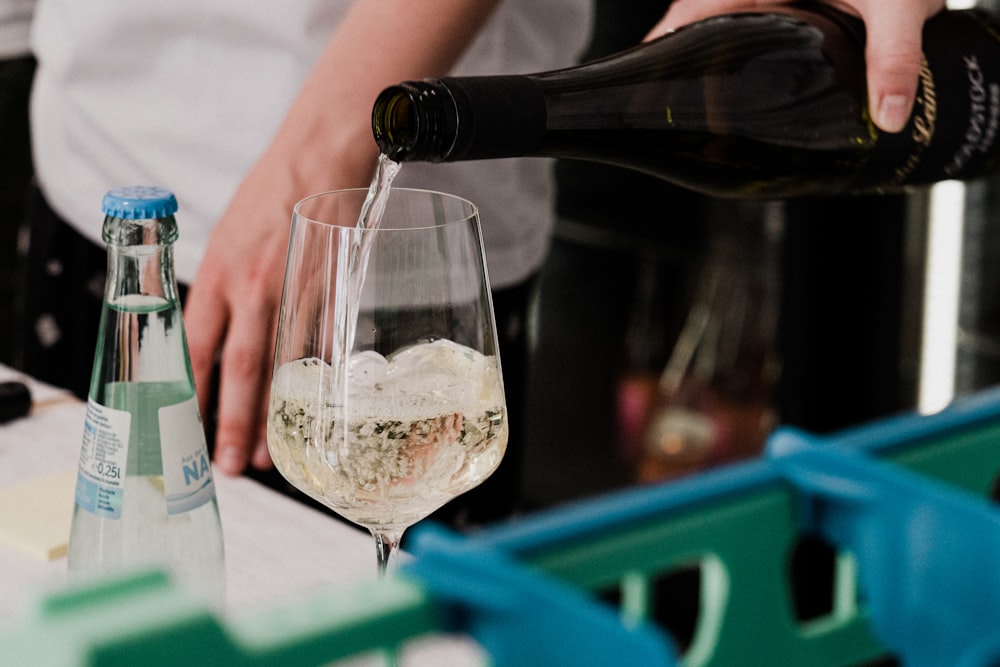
x=903 y=499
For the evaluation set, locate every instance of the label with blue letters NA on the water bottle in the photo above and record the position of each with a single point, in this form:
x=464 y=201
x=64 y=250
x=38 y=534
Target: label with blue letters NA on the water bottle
x=187 y=473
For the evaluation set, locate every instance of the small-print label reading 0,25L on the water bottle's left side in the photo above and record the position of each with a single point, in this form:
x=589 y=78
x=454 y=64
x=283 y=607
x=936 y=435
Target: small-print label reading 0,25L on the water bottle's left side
x=100 y=480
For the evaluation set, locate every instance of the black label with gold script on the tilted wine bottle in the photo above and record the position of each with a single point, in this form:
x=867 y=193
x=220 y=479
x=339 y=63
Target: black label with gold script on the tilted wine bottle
x=953 y=130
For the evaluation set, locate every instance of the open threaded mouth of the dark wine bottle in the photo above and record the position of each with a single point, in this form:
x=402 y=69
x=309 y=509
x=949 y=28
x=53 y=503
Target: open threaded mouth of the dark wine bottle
x=410 y=121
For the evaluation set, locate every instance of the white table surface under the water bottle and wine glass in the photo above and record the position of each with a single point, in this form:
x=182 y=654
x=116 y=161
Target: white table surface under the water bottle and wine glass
x=275 y=546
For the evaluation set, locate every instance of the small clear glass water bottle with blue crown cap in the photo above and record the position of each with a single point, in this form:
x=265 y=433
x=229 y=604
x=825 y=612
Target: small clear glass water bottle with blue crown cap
x=145 y=496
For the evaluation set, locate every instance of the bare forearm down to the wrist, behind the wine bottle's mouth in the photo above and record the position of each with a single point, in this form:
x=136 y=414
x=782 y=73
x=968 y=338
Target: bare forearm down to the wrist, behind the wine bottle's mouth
x=326 y=136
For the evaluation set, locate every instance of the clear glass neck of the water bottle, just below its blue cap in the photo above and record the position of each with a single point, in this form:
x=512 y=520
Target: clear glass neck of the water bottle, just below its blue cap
x=140 y=259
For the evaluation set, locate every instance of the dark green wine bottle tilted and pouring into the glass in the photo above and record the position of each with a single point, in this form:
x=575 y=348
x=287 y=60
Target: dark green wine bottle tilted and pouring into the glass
x=765 y=104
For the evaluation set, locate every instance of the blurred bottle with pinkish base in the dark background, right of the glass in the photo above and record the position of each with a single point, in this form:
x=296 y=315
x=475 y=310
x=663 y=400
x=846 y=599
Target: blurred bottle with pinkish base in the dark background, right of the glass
x=715 y=400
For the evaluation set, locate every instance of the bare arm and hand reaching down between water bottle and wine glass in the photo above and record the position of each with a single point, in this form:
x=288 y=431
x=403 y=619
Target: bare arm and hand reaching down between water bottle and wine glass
x=324 y=143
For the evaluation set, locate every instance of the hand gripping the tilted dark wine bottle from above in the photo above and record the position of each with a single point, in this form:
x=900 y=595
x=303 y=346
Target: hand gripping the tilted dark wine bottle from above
x=894 y=30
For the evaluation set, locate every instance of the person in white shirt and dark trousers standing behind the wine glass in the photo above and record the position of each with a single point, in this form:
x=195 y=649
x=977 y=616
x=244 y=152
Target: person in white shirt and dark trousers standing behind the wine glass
x=242 y=108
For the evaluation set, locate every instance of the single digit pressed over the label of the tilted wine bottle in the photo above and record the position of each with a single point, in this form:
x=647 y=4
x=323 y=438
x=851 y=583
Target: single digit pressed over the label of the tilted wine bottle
x=894 y=29
